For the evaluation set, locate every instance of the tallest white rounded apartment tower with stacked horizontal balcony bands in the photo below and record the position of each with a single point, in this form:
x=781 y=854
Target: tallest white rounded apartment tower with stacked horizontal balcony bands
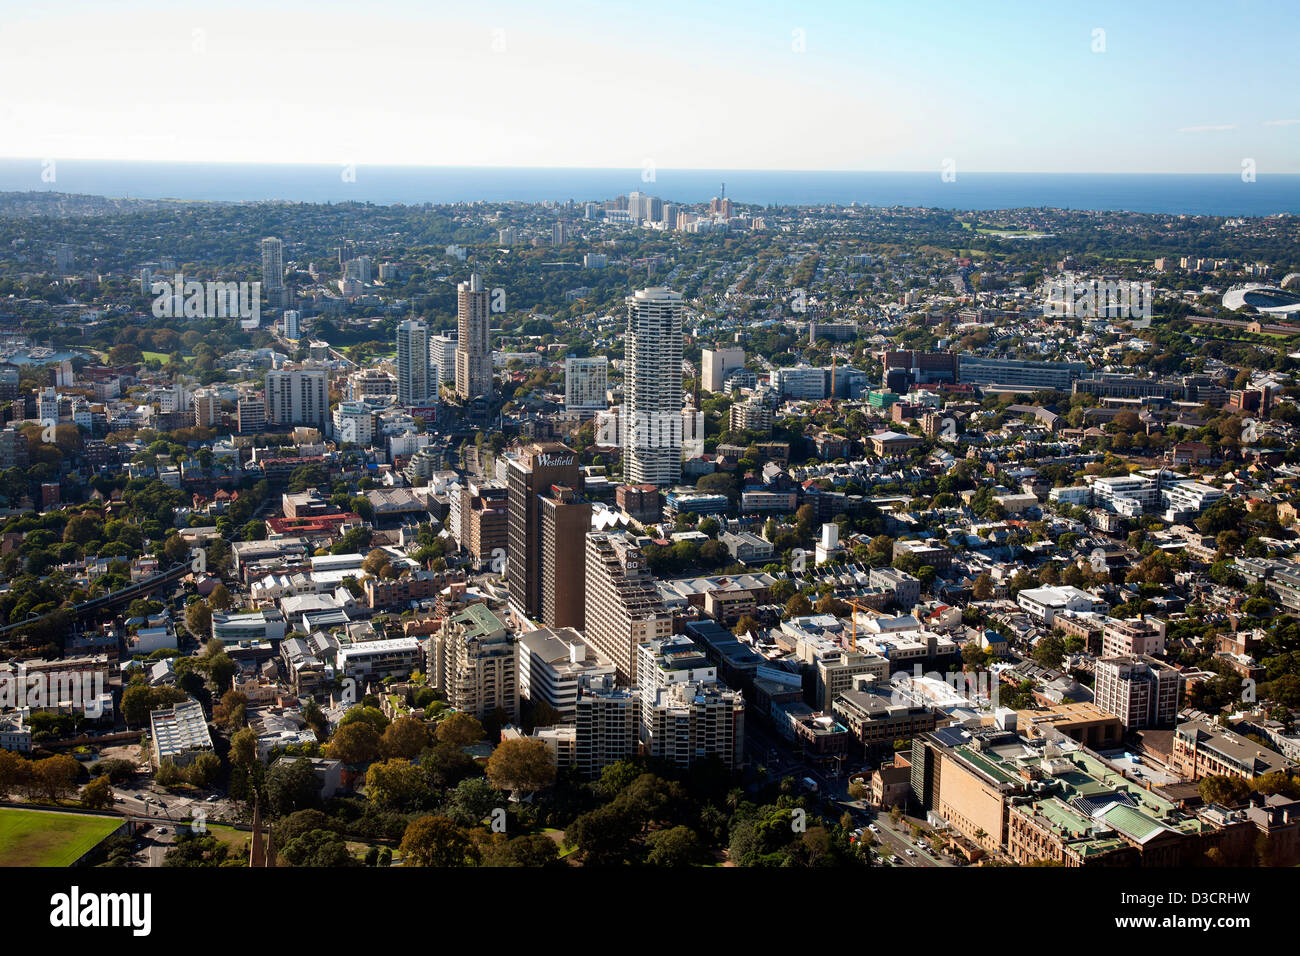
x=653 y=388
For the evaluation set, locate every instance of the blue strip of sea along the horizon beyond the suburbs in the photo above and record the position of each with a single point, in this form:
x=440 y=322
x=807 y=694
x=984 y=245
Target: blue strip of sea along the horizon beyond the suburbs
x=1193 y=194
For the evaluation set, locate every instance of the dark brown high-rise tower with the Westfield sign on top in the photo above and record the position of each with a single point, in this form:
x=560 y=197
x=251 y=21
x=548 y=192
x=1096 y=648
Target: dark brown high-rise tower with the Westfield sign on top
x=531 y=479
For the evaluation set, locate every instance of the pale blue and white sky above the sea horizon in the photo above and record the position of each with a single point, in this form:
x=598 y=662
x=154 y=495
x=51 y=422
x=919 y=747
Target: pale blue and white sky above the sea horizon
x=1143 y=86
